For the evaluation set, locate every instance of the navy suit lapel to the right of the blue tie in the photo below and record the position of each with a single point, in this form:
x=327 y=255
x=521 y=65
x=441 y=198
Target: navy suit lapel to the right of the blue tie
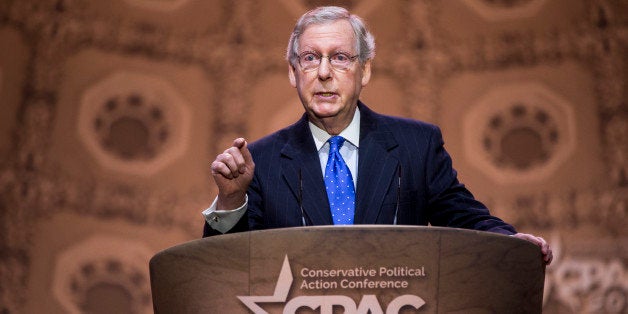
x=377 y=167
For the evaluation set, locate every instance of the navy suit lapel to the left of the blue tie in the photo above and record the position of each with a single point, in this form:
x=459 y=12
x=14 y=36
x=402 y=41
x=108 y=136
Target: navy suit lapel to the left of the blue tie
x=299 y=155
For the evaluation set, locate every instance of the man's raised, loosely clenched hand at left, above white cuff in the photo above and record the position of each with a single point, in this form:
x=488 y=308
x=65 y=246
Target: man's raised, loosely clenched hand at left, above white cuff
x=233 y=171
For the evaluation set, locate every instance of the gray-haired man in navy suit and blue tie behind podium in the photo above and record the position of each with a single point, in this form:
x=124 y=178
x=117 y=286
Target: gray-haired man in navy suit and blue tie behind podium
x=398 y=170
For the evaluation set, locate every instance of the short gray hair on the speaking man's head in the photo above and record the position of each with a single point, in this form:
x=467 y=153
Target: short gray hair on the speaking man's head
x=365 y=42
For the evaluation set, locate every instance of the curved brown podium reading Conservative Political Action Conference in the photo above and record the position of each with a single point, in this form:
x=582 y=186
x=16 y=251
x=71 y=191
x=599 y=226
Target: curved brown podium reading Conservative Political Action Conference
x=350 y=269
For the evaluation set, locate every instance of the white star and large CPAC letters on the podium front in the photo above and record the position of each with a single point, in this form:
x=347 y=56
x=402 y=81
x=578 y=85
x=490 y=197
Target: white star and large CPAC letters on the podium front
x=368 y=304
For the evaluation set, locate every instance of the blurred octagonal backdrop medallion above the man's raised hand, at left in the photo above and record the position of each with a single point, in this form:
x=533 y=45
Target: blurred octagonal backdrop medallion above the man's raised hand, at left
x=134 y=123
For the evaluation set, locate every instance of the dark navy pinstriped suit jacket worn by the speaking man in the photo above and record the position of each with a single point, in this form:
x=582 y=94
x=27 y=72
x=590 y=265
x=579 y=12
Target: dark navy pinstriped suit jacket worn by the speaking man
x=400 y=162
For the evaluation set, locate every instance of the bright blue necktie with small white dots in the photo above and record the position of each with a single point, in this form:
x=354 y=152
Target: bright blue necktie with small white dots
x=339 y=184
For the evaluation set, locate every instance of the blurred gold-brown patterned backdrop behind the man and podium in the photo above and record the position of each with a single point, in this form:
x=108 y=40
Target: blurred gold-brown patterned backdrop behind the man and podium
x=111 y=112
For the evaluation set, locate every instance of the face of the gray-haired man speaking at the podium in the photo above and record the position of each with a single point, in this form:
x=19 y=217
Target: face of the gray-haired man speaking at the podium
x=330 y=96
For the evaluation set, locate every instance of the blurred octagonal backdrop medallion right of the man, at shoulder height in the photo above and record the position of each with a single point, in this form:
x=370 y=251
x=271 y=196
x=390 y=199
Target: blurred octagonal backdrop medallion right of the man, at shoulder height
x=519 y=132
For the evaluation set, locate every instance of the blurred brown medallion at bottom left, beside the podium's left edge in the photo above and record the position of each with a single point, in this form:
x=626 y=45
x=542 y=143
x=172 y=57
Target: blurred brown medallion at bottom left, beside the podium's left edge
x=103 y=274
